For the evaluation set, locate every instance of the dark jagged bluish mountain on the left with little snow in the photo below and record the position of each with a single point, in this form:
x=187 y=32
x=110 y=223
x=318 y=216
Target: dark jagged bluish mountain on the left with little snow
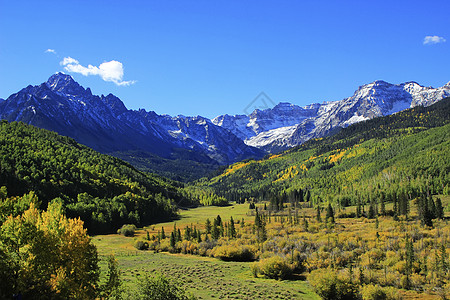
x=106 y=125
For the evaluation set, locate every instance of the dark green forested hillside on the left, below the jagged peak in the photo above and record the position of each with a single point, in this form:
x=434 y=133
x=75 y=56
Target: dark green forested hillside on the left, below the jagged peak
x=104 y=191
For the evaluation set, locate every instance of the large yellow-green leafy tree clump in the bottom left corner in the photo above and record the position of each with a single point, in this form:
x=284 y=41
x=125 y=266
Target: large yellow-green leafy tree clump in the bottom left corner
x=48 y=255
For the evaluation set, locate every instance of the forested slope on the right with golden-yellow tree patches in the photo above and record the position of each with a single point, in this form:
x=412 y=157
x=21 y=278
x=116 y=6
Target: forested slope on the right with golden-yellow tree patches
x=407 y=151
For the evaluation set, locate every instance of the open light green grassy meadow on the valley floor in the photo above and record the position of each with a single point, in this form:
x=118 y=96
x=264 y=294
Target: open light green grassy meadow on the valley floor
x=205 y=277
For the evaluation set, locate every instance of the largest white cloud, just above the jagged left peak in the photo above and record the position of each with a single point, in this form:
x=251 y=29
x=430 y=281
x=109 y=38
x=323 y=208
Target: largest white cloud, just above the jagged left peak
x=109 y=71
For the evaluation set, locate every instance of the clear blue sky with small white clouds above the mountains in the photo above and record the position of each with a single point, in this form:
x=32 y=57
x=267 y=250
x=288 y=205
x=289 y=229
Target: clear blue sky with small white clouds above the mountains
x=214 y=57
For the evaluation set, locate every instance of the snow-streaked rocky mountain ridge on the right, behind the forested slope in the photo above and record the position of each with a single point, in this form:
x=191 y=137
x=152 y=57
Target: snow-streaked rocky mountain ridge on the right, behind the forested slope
x=288 y=125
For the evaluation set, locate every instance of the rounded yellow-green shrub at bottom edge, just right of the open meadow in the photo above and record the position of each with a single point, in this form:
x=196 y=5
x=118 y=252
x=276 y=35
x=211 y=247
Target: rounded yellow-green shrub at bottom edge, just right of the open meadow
x=328 y=285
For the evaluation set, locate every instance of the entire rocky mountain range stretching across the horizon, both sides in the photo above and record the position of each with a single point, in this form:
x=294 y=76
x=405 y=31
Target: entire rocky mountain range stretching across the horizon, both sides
x=154 y=142
